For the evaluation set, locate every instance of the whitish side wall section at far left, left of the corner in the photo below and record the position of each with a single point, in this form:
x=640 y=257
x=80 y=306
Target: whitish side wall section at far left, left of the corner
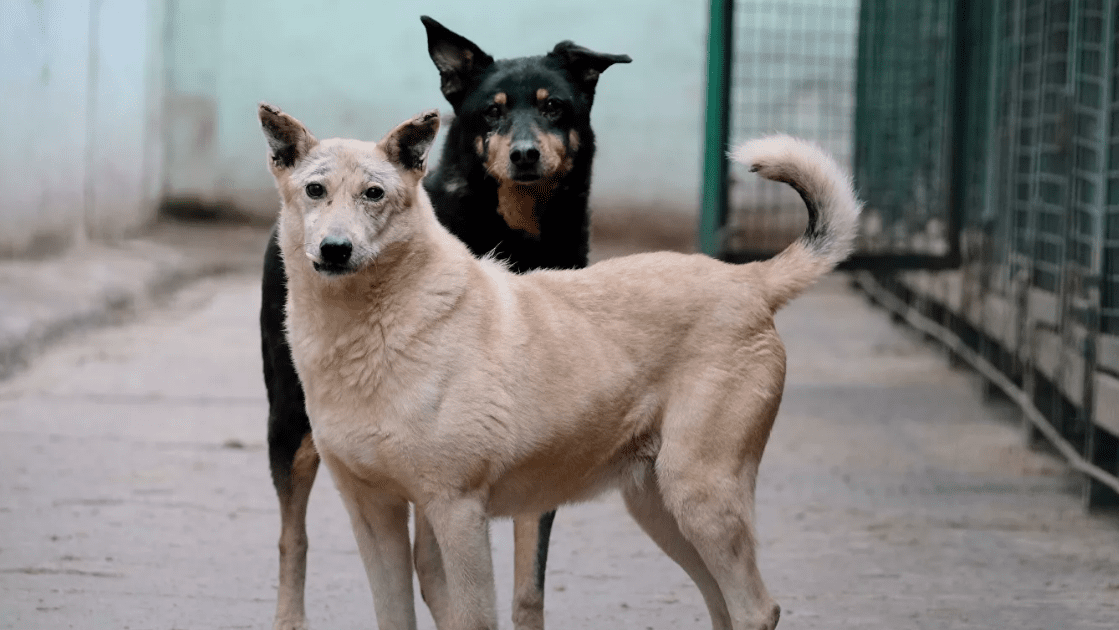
x=80 y=105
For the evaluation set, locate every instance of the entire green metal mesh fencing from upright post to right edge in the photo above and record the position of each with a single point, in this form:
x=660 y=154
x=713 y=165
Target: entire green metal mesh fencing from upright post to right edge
x=986 y=148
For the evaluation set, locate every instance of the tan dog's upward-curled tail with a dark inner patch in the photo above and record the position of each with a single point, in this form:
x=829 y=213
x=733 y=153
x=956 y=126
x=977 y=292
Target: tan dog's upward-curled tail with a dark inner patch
x=833 y=212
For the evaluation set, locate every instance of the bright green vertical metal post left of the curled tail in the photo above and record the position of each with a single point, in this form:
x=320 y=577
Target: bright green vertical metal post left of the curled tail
x=717 y=128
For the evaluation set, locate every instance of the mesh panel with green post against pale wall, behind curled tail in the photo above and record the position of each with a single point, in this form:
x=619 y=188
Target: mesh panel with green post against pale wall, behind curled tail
x=775 y=67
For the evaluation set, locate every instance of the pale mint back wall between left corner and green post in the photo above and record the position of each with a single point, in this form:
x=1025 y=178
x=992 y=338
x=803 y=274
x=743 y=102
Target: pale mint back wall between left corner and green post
x=356 y=69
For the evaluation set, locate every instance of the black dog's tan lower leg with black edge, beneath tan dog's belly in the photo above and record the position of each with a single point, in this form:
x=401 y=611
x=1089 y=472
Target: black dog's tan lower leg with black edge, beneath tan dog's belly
x=531 y=535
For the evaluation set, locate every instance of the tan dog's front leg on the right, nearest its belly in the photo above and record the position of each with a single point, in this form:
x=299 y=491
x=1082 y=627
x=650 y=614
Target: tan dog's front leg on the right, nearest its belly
x=462 y=529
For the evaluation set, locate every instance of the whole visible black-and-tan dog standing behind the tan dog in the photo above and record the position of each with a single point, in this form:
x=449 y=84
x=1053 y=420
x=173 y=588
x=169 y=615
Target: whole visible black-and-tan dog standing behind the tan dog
x=513 y=182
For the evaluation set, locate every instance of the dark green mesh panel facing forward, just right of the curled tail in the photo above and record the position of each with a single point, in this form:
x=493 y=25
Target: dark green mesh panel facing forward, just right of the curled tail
x=905 y=119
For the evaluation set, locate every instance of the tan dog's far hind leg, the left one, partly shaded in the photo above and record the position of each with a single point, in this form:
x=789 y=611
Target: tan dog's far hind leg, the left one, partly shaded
x=646 y=506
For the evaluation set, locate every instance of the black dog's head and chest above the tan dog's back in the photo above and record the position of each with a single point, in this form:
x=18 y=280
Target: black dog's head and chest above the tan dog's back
x=521 y=143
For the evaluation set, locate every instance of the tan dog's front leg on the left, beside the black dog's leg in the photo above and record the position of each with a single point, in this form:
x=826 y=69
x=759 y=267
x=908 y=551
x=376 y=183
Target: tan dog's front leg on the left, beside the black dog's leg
x=381 y=529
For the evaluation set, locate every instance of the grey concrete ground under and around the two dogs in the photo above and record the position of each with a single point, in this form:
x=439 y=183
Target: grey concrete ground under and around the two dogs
x=135 y=494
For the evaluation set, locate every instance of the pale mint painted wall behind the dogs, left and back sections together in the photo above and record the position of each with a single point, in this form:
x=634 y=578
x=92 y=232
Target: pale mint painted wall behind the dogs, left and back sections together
x=110 y=108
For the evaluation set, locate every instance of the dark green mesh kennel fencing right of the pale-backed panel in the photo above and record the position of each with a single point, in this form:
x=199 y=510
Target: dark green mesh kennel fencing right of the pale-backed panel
x=1022 y=152
